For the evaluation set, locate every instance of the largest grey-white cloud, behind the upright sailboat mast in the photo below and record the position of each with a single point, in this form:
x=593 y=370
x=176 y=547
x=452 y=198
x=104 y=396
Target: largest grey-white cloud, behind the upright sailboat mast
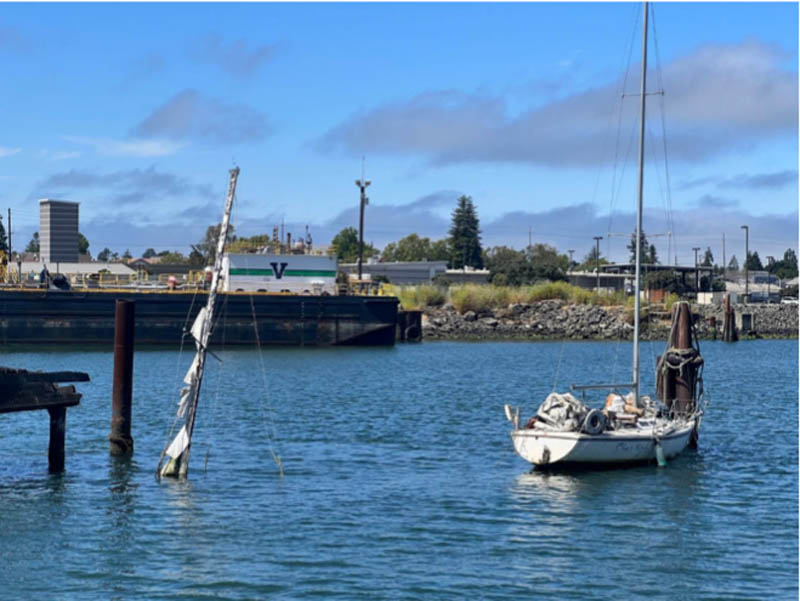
x=719 y=98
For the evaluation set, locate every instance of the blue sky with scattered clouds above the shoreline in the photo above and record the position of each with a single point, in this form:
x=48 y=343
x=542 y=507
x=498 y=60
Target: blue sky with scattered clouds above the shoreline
x=138 y=111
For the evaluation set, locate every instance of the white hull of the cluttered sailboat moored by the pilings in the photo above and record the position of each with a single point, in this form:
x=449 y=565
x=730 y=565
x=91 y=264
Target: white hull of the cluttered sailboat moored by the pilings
x=616 y=447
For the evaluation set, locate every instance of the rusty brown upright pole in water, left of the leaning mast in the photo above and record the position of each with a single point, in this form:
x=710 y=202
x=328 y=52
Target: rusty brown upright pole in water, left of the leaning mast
x=120 y=439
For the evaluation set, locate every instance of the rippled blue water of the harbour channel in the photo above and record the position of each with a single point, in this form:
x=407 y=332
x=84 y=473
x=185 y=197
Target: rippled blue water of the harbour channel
x=400 y=482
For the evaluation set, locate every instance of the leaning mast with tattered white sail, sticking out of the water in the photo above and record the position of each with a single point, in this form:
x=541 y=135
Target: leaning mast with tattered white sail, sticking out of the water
x=177 y=452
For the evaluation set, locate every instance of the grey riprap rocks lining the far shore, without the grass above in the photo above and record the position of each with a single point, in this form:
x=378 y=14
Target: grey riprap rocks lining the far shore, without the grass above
x=559 y=320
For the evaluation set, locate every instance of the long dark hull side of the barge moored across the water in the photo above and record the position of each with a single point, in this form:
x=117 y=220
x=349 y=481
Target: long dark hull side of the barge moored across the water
x=87 y=316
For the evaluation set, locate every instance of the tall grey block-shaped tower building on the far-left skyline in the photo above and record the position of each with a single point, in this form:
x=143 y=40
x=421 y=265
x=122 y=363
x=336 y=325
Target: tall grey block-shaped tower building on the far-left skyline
x=58 y=231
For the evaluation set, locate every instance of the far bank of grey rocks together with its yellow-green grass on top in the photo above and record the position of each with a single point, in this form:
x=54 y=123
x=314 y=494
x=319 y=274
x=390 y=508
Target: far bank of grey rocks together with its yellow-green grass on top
x=558 y=310
